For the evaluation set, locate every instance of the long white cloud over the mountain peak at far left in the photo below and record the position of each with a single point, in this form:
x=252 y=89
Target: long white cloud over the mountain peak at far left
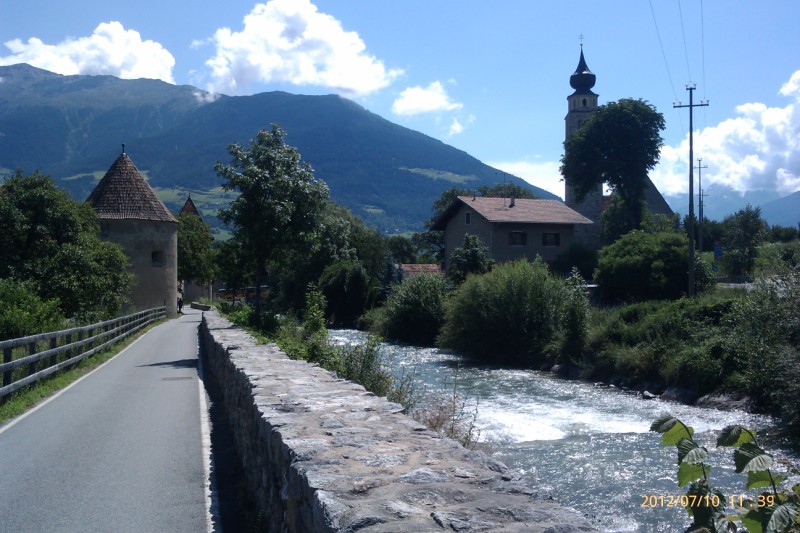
x=111 y=49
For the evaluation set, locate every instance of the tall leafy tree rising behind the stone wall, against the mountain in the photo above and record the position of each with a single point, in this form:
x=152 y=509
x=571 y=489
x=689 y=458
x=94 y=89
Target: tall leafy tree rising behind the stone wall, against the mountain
x=279 y=200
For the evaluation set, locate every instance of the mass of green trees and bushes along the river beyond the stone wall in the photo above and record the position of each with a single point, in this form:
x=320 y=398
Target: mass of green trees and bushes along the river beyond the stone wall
x=637 y=330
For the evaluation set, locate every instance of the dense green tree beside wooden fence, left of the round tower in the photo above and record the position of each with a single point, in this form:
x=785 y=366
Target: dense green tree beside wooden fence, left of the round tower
x=52 y=243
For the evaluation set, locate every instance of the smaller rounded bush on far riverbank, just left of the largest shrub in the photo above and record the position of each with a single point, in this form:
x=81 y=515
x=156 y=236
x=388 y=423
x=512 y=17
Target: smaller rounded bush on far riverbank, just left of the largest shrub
x=414 y=310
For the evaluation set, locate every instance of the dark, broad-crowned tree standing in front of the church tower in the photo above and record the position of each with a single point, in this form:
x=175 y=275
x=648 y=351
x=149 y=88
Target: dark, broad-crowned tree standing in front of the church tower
x=617 y=146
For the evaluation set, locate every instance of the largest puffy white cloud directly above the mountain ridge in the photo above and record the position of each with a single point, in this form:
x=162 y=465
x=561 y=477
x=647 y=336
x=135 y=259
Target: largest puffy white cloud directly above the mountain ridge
x=289 y=41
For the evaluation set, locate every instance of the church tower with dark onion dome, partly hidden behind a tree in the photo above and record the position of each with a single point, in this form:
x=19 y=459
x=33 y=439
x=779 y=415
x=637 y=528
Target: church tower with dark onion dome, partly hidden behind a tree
x=581 y=104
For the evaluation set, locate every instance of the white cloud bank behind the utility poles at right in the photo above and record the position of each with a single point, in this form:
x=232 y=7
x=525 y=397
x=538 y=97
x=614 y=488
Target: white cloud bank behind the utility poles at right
x=757 y=150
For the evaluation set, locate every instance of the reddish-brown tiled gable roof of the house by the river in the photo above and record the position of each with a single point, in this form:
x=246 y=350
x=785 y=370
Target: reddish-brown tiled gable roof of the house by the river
x=522 y=211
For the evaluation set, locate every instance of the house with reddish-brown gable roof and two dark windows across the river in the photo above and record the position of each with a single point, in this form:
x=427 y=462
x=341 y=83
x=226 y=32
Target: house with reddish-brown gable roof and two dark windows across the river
x=511 y=229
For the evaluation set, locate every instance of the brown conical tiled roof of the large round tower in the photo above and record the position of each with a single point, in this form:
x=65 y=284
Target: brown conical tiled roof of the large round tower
x=123 y=193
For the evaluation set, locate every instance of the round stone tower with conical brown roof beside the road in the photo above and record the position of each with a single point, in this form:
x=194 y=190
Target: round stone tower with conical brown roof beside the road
x=132 y=216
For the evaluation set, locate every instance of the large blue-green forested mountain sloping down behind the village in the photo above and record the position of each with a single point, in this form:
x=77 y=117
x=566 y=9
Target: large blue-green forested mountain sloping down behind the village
x=71 y=128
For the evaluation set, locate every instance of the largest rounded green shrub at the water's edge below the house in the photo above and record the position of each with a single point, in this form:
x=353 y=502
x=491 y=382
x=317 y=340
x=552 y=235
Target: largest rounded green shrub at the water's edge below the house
x=510 y=313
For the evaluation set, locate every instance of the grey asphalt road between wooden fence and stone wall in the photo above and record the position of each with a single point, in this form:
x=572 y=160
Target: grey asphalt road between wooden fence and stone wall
x=124 y=449
